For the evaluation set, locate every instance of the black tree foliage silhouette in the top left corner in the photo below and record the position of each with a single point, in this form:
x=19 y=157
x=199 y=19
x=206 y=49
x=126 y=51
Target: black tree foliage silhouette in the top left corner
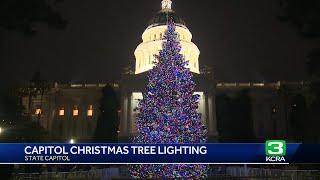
x=22 y=16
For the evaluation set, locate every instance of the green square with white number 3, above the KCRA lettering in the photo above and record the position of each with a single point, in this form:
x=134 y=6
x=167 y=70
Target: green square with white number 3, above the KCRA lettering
x=276 y=148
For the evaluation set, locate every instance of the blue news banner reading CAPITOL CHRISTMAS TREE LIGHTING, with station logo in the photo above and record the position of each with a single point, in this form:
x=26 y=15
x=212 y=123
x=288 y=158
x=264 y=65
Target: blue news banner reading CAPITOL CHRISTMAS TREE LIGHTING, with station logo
x=270 y=152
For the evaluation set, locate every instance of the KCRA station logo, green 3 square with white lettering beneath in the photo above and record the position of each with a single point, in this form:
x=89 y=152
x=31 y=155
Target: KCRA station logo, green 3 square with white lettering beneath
x=276 y=151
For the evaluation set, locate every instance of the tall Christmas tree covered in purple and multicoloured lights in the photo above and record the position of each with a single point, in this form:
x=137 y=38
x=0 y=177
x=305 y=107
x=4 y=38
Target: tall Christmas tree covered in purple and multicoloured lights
x=168 y=111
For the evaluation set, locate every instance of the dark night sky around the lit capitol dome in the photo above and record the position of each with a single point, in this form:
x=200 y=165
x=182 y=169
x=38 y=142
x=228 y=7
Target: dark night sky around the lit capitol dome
x=241 y=39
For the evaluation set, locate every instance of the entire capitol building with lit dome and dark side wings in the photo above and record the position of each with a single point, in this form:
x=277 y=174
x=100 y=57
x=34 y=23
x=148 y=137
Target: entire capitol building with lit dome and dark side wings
x=71 y=110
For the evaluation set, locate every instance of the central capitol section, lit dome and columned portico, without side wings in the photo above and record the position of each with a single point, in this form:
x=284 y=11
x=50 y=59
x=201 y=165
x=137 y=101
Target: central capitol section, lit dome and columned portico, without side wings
x=133 y=84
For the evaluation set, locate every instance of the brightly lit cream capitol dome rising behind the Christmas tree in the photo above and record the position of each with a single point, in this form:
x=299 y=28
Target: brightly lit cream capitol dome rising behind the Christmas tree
x=152 y=40
